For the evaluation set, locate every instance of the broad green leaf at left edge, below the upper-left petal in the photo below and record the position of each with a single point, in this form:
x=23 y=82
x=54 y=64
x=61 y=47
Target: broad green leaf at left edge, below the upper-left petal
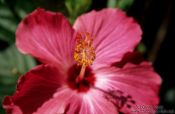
x=13 y=64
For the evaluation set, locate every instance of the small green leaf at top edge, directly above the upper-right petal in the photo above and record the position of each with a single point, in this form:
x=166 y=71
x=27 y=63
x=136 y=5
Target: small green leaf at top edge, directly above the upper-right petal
x=122 y=4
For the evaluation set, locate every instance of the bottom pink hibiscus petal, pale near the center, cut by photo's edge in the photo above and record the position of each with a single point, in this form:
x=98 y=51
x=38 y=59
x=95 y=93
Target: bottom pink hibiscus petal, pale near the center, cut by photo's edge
x=70 y=102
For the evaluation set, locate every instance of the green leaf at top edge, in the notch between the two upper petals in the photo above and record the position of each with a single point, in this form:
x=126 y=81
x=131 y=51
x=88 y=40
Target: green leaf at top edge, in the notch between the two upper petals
x=76 y=7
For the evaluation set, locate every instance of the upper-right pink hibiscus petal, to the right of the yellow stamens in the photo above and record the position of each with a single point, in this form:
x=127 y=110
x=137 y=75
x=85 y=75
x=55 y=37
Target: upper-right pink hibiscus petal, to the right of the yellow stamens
x=114 y=33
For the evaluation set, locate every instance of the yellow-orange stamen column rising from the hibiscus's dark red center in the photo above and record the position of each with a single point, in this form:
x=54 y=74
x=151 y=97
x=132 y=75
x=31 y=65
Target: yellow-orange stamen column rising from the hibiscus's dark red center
x=84 y=52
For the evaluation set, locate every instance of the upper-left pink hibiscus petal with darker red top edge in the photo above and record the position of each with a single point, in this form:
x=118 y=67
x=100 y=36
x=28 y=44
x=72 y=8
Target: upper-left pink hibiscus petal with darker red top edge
x=47 y=36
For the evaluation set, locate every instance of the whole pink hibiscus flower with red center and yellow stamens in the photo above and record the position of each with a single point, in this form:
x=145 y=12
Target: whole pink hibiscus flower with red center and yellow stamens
x=77 y=75
